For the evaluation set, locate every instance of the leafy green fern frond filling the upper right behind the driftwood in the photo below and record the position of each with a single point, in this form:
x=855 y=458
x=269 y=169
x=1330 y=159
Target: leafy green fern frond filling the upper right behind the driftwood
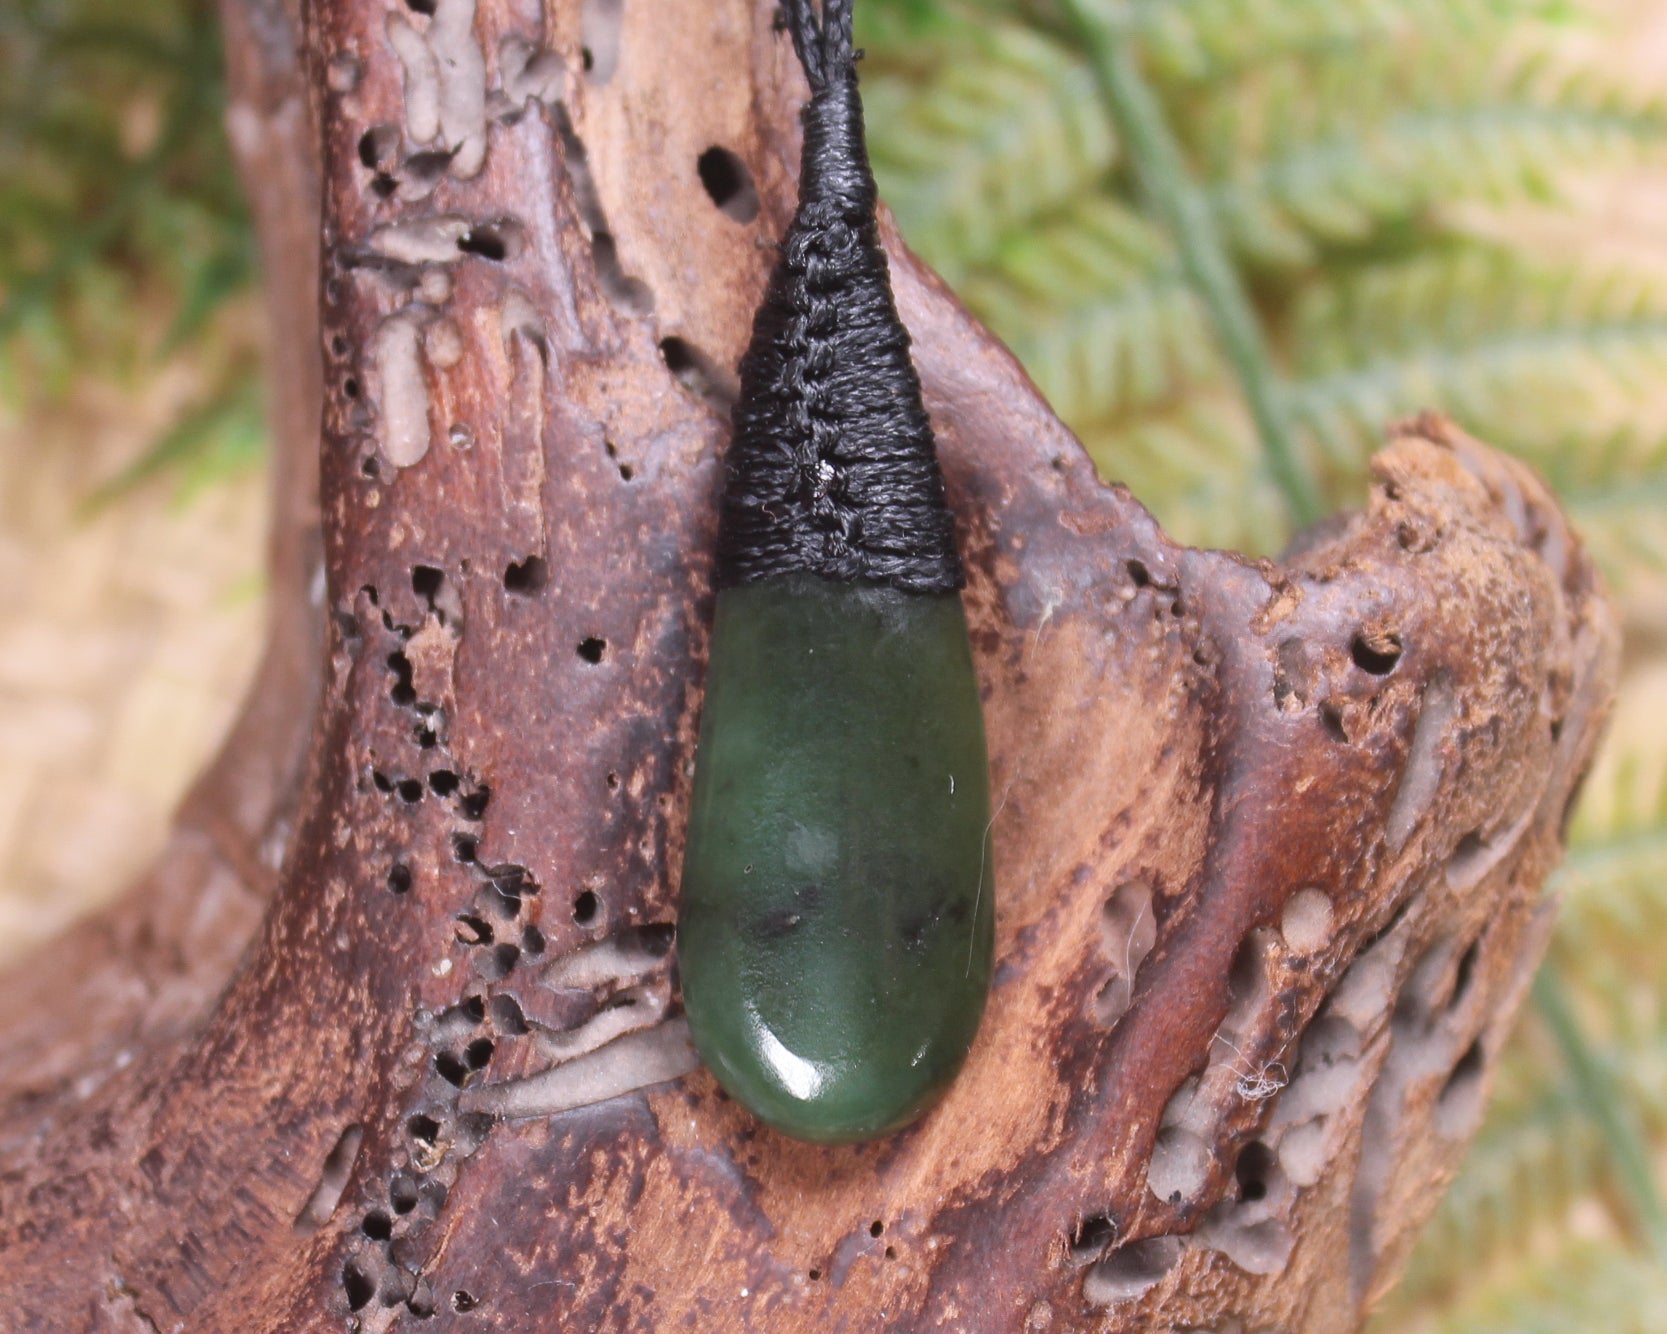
x=1341 y=126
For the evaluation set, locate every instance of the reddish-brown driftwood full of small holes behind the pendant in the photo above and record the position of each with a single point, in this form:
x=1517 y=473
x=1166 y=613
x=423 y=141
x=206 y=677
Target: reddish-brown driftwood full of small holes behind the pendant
x=384 y=1038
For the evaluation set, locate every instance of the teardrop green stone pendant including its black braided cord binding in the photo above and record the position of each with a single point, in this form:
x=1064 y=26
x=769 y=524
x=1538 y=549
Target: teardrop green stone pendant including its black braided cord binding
x=838 y=911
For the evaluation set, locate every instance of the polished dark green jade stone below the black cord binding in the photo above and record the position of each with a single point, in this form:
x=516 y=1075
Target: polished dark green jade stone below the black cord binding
x=838 y=916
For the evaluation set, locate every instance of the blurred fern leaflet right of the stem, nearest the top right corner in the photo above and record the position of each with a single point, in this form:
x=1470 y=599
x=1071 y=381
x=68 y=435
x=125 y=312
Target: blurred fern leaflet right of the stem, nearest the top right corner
x=1324 y=149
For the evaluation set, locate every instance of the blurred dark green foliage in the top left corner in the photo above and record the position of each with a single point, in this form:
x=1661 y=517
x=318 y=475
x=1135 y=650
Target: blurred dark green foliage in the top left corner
x=124 y=234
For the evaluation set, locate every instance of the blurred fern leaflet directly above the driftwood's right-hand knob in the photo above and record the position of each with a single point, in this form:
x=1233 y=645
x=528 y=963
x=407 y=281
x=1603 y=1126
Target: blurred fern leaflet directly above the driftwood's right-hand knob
x=1556 y=364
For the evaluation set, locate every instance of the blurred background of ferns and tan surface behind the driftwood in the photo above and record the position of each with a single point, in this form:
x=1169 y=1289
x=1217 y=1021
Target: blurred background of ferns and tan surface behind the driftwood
x=1456 y=204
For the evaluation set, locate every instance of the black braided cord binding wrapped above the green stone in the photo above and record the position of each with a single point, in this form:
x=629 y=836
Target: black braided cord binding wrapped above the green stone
x=833 y=469
